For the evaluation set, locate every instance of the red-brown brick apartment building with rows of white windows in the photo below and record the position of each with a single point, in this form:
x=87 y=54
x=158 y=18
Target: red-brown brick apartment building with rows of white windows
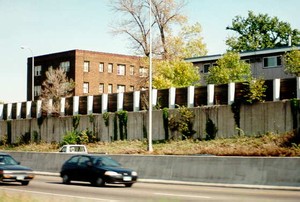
x=93 y=72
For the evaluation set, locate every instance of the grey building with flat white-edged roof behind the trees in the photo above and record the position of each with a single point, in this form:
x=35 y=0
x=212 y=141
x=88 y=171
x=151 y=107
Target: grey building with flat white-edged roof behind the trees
x=265 y=64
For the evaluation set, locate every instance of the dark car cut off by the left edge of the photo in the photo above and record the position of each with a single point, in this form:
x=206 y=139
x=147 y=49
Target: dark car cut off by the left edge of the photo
x=12 y=171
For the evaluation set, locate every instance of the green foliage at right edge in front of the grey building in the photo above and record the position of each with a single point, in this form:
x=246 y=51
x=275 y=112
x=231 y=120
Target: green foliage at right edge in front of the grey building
x=292 y=62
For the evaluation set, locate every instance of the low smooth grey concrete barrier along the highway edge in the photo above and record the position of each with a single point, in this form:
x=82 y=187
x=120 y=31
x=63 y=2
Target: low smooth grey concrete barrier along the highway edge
x=278 y=171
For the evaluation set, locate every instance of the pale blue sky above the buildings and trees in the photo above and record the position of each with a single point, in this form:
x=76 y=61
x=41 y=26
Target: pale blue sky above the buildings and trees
x=49 y=26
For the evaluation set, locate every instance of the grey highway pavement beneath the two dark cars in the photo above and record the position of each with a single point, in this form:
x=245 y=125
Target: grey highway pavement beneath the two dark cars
x=50 y=189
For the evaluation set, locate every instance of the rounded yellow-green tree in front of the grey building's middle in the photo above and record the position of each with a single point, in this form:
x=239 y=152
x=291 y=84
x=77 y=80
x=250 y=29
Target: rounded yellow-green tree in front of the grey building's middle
x=229 y=68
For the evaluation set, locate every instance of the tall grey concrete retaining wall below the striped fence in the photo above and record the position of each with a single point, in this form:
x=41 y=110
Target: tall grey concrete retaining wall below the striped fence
x=255 y=119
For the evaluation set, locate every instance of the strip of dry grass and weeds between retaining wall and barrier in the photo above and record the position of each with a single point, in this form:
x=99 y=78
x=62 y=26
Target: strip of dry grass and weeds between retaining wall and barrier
x=265 y=145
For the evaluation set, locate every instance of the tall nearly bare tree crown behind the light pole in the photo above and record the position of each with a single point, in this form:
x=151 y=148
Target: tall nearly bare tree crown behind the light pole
x=135 y=22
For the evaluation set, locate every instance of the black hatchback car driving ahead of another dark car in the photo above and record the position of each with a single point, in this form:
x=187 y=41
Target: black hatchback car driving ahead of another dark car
x=97 y=170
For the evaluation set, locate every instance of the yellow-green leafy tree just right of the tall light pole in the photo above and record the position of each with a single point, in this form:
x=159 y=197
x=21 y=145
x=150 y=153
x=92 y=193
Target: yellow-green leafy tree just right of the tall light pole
x=174 y=73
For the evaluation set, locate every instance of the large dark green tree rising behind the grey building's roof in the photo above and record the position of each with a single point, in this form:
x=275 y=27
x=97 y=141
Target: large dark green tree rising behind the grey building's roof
x=259 y=32
